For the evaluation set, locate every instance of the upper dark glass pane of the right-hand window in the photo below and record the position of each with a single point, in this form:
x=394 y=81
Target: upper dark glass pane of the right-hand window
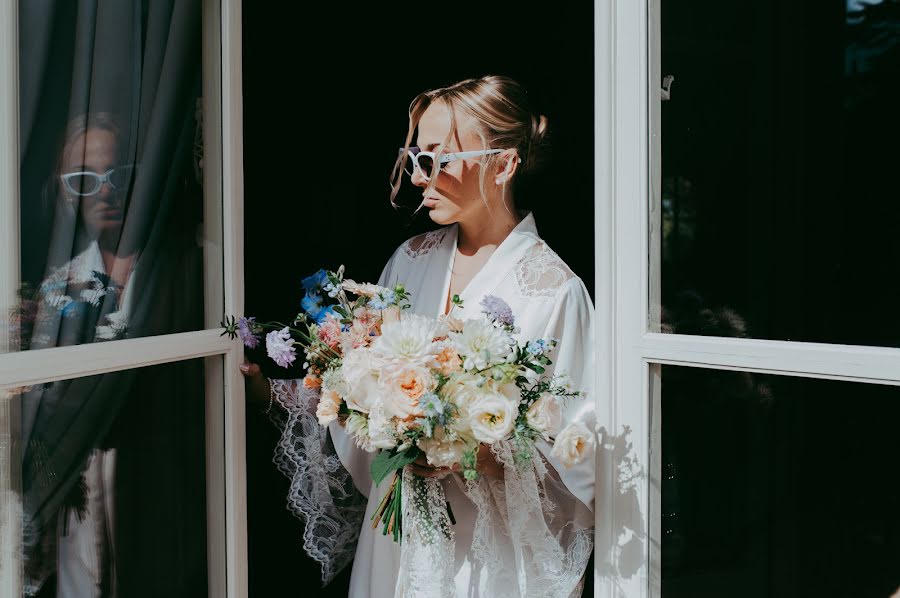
x=779 y=194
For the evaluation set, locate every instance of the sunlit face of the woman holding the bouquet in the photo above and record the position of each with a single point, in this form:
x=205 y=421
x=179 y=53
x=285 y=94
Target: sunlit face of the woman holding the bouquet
x=456 y=195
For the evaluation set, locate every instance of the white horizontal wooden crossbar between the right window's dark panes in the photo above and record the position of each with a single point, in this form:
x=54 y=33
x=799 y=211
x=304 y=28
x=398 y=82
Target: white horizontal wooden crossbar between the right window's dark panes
x=817 y=360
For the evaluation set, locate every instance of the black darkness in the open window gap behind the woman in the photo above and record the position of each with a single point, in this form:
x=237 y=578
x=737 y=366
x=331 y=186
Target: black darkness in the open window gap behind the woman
x=326 y=93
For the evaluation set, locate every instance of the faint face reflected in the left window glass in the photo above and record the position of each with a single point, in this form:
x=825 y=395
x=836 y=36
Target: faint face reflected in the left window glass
x=96 y=151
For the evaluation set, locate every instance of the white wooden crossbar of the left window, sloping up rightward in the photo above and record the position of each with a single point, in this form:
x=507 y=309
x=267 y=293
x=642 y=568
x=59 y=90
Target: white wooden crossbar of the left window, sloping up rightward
x=61 y=363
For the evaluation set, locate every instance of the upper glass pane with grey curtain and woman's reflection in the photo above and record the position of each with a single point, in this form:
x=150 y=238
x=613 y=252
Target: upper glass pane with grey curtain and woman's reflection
x=111 y=186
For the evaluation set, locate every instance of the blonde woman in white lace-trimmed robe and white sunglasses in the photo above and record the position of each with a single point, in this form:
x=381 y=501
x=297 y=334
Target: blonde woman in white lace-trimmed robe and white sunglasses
x=519 y=530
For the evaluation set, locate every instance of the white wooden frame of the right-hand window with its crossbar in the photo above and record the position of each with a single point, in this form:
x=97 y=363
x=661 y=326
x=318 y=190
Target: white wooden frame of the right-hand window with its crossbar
x=627 y=167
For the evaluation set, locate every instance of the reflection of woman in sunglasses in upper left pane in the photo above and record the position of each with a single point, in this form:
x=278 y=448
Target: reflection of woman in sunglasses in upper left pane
x=84 y=299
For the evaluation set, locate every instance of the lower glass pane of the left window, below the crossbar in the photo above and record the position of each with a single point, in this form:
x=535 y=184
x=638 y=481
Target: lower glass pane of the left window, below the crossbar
x=110 y=484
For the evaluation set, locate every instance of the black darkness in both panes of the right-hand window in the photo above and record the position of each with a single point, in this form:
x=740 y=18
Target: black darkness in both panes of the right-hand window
x=780 y=203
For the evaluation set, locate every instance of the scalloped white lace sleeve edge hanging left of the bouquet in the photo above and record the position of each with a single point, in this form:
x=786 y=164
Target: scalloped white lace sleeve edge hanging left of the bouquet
x=322 y=494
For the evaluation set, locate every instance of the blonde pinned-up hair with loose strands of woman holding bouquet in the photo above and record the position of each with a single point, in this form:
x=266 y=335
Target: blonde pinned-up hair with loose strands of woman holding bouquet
x=503 y=117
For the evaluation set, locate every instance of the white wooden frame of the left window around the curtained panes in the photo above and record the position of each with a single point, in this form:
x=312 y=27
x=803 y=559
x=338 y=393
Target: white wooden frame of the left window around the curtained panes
x=223 y=285
